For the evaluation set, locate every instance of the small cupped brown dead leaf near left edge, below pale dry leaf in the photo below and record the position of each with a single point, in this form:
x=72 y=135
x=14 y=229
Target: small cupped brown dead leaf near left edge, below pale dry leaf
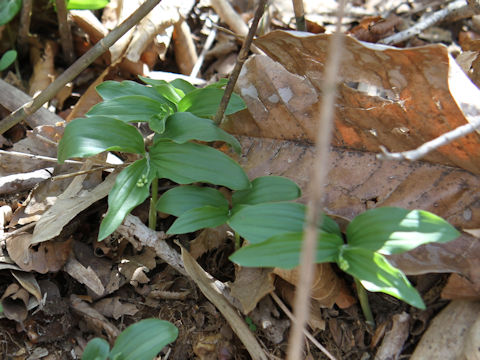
x=48 y=256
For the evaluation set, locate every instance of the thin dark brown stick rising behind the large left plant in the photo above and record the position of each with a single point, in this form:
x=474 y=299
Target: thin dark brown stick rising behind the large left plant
x=242 y=56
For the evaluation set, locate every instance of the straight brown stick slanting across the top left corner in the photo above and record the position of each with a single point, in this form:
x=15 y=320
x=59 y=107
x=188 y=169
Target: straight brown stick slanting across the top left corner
x=77 y=67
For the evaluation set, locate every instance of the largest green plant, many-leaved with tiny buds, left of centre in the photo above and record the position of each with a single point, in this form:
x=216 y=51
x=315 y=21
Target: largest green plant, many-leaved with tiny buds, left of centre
x=178 y=114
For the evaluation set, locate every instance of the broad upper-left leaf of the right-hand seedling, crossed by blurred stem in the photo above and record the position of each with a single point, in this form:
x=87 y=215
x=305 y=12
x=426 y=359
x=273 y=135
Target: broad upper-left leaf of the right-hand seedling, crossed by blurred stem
x=257 y=223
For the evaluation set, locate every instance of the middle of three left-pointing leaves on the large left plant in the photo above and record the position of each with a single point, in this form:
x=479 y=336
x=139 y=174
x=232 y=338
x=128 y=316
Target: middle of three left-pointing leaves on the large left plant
x=133 y=108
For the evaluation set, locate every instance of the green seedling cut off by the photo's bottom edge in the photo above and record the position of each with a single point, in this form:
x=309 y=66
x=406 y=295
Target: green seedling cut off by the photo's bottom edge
x=140 y=341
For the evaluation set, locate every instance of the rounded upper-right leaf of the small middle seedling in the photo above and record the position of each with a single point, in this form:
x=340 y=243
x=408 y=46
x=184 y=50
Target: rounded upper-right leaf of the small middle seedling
x=267 y=189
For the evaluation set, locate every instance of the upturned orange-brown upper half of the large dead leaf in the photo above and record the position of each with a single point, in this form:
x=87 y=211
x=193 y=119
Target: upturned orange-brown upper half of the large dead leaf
x=399 y=98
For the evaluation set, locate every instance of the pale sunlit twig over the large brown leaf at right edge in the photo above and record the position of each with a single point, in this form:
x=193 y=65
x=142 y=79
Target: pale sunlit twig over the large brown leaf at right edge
x=431 y=145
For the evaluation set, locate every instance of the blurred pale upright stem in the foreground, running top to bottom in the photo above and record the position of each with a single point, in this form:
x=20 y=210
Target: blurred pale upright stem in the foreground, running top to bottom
x=319 y=175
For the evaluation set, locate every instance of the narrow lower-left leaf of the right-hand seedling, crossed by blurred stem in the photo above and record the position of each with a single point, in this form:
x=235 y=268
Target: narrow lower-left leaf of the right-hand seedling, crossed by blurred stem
x=283 y=251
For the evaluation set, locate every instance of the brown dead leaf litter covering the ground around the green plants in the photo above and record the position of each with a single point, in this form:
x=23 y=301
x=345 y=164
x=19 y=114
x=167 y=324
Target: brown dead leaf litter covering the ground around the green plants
x=398 y=98
